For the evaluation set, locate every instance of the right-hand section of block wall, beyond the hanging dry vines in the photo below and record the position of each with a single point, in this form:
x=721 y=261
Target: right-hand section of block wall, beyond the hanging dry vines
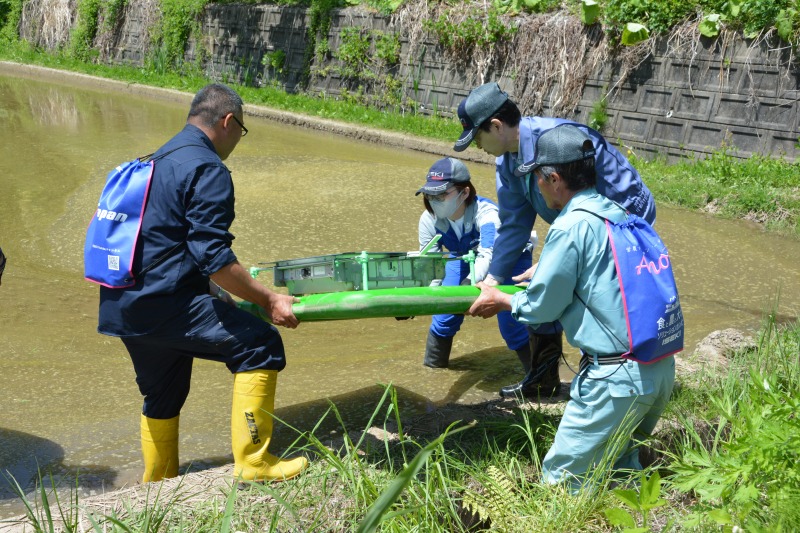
x=742 y=96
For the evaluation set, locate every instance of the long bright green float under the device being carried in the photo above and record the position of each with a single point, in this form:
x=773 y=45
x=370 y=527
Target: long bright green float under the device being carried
x=382 y=303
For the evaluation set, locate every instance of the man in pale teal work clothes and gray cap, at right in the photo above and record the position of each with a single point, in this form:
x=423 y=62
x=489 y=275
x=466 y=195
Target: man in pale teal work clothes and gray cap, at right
x=576 y=284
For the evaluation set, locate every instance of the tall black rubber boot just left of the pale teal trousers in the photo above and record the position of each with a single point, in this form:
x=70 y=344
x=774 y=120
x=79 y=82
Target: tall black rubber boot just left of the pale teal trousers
x=543 y=379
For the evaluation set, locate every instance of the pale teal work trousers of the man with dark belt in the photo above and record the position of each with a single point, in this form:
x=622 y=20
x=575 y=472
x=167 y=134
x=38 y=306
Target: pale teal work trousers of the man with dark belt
x=601 y=397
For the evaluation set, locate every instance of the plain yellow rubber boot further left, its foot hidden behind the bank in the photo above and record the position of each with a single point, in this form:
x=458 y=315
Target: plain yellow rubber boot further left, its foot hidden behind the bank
x=159 y=448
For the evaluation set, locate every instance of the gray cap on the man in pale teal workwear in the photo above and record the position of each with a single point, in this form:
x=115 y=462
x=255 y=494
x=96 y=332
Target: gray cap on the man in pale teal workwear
x=564 y=143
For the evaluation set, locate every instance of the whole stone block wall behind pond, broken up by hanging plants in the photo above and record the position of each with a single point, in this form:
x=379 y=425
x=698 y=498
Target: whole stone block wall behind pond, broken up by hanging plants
x=681 y=100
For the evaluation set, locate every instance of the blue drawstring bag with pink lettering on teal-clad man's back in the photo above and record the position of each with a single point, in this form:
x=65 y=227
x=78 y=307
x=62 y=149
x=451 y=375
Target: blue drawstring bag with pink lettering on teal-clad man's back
x=649 y=294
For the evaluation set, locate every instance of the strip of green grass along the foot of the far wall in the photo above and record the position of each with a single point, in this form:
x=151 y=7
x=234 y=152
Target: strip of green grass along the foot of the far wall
x=765 y=189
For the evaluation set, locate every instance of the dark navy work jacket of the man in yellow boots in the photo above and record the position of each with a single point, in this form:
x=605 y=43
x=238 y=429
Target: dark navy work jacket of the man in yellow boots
x=186 y=221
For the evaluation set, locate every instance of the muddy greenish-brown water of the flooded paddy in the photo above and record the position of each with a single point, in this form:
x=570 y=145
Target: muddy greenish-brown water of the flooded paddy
x=70 y=401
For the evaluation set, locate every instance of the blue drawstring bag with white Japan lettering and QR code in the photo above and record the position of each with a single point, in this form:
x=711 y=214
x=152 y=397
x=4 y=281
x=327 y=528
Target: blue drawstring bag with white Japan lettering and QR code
x=113 y=232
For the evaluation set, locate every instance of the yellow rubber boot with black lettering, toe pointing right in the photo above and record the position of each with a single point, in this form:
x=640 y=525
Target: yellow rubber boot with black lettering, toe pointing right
x=251 y=429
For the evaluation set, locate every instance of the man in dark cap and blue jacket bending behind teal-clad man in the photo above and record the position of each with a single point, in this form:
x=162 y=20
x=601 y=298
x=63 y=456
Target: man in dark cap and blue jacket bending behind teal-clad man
x=495 y=124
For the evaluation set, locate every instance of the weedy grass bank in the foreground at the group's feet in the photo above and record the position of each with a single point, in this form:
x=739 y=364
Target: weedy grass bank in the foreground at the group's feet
x=727 y=456
